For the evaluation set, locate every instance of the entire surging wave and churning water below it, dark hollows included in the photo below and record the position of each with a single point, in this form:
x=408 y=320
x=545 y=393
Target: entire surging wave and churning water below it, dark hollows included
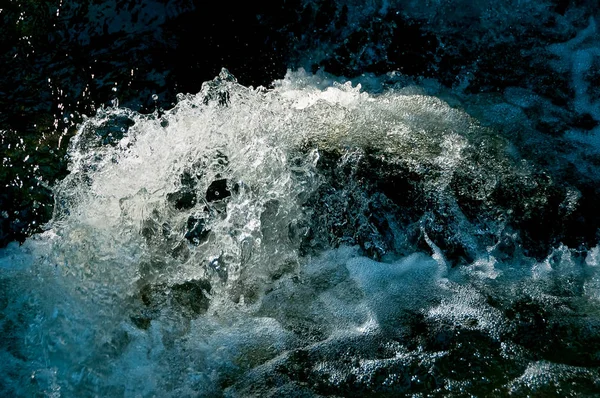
x=313 y=239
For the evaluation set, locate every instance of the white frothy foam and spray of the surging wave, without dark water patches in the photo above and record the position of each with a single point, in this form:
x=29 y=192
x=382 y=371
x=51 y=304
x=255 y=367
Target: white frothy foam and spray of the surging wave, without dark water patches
x=113 y=300
